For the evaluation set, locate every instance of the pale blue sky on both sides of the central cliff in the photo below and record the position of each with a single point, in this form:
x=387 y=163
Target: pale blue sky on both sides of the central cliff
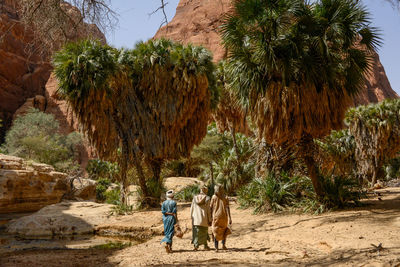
x=135 y=24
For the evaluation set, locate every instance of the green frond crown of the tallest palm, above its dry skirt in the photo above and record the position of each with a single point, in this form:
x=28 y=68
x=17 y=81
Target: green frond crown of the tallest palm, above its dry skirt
x=293 y=41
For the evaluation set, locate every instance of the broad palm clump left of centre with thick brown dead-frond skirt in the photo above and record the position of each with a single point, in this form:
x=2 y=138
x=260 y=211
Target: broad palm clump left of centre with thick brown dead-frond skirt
x=148 y=104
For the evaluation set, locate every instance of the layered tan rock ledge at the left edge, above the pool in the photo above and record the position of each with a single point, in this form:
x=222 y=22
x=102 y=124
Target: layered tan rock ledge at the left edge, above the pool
x=27 y=186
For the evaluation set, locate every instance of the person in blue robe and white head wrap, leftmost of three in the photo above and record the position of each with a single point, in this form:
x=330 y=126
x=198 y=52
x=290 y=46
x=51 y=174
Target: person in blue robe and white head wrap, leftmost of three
x=170 y=218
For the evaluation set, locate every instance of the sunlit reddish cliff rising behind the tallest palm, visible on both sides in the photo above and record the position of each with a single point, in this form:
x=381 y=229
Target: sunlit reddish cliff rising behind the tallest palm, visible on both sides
x=197 y=22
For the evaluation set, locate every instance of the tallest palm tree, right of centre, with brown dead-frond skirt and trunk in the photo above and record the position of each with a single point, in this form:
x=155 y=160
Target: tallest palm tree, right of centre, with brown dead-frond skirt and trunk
x=296 y=65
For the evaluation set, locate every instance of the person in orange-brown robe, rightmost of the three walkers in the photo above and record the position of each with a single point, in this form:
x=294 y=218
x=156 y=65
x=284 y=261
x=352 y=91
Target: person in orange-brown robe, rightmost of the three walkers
x=221 y=215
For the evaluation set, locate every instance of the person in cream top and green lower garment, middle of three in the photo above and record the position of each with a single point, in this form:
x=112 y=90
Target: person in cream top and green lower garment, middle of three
x=201 y=219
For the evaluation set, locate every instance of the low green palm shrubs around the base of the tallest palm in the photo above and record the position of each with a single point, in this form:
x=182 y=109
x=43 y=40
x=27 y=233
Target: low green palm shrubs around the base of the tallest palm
x=282 y=192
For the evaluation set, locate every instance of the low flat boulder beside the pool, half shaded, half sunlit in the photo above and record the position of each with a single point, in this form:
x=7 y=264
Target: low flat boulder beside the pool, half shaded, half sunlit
x=66 y=218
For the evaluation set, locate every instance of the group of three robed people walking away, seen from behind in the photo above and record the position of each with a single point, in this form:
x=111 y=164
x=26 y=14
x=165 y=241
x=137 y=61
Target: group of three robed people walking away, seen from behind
x=204 y=213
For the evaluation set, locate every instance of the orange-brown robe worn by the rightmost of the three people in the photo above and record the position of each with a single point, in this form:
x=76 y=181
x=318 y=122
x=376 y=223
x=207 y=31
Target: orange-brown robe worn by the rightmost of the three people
x=219 y=208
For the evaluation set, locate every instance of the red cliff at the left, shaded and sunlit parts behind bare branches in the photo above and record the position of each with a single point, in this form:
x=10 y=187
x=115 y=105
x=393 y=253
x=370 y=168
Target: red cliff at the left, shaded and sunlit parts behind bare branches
x=25 y=79
